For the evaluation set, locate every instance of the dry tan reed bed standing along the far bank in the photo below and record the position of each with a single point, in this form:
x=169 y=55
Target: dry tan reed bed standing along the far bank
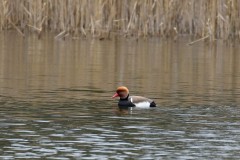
x=211 y=19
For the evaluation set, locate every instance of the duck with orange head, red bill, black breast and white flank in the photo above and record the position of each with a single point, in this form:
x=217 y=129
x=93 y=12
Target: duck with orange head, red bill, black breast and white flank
x=132 y=101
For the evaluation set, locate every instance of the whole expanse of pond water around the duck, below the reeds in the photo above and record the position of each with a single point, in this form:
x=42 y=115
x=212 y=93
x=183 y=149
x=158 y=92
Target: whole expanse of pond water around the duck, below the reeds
x=55 y=99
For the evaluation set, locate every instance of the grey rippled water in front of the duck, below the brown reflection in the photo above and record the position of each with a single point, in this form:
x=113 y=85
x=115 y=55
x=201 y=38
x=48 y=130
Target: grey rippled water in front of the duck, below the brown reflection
x=89 y=133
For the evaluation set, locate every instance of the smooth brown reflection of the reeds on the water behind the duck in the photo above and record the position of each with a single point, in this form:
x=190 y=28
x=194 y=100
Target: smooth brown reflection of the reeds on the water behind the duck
x=170 y=72
